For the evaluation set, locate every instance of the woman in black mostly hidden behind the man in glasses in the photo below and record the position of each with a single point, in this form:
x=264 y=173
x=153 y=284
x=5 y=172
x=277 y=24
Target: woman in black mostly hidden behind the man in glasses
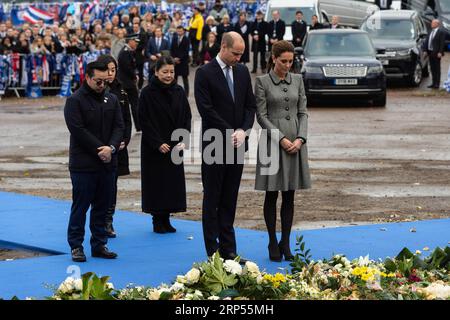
x=122 y=155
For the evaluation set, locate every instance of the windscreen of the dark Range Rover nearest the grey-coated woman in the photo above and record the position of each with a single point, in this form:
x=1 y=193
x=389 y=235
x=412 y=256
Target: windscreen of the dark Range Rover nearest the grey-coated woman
x=339 y=44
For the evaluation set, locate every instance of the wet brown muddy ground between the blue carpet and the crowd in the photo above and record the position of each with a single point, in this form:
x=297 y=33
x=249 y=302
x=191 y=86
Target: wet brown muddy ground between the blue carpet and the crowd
x=368 y=164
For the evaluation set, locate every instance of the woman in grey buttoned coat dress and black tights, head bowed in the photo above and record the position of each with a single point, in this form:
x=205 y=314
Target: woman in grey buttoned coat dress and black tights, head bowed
x=282 y=151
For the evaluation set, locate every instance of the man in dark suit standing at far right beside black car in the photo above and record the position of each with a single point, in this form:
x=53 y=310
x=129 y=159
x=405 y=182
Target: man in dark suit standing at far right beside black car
x=435 y=46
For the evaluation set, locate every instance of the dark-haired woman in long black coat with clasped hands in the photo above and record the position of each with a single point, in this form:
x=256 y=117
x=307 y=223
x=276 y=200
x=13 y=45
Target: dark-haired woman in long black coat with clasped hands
x=163 y=108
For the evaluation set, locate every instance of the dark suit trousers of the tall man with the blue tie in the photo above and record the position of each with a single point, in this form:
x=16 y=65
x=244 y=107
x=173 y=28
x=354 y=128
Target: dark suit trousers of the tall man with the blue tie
x=220 y=193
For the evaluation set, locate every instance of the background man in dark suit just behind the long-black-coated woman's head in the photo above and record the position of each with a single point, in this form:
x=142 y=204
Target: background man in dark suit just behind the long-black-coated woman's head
x=180 y=52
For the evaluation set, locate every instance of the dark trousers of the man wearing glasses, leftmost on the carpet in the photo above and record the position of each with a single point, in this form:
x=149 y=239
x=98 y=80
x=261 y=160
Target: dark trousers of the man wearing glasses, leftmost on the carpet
x=95 y=190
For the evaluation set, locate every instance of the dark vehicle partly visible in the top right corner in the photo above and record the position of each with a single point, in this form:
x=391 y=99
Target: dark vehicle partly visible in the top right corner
x=432 y=9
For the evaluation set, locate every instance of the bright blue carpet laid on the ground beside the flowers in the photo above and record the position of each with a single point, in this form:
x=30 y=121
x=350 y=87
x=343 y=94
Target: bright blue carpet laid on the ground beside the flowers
x=146 y=258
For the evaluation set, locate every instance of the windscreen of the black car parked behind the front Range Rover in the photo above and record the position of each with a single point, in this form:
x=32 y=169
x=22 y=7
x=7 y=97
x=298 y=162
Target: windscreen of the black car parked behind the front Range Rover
x=389 y=28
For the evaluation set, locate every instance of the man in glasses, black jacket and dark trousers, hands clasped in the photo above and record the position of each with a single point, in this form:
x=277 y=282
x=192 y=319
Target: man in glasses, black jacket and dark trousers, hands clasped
x=96 y=127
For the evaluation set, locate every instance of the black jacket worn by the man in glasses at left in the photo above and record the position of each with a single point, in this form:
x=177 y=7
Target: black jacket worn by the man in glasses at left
x=94 y=120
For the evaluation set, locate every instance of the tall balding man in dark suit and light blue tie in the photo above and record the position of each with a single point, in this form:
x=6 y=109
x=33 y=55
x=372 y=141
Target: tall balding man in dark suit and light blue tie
x=225 y=101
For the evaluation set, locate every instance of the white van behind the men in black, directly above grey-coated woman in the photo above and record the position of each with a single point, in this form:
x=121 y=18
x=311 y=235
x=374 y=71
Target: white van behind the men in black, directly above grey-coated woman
x=288 y=8
